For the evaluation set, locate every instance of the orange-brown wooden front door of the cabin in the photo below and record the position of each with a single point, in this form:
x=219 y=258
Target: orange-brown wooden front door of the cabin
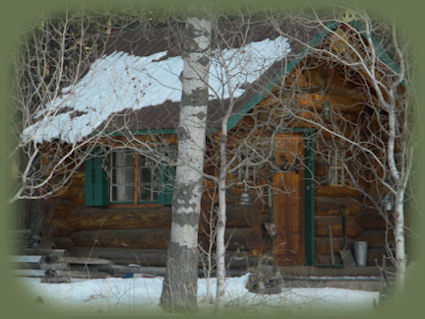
x=288 y=200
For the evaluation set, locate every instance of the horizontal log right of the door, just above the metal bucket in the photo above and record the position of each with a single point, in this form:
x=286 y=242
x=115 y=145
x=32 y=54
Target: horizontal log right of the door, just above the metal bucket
x=321 y=226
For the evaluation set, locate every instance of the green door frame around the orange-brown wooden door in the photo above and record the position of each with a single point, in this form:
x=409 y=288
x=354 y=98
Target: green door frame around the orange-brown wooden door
x=309 y=173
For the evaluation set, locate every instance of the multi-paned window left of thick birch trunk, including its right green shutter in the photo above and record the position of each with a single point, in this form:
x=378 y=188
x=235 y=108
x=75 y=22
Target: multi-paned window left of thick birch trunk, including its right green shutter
x=135 y=178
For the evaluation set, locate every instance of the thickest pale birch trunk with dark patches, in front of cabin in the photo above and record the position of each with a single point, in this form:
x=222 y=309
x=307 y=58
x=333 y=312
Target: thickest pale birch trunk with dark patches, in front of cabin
x=179 y=291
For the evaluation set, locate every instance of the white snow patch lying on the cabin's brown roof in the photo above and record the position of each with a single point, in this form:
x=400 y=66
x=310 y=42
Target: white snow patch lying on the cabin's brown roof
x=121 y=81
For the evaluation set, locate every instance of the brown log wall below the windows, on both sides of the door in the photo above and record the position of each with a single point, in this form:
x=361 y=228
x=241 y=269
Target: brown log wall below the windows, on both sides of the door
x=74 y=226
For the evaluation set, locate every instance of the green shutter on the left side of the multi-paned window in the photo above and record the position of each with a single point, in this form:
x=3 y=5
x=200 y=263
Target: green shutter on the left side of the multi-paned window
x=96 y=183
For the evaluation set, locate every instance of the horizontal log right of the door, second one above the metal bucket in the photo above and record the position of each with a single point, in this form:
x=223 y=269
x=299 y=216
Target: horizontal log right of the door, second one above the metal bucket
x=331 y=206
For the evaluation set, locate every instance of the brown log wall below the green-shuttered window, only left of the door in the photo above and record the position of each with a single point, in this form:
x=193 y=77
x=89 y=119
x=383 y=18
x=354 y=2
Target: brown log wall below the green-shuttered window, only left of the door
x=143 y=231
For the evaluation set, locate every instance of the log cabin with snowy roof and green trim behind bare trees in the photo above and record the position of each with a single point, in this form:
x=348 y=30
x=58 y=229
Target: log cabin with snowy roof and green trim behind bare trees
x=290 y=196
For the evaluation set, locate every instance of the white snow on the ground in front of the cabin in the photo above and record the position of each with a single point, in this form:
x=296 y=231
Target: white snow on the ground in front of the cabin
x=133 y=294
